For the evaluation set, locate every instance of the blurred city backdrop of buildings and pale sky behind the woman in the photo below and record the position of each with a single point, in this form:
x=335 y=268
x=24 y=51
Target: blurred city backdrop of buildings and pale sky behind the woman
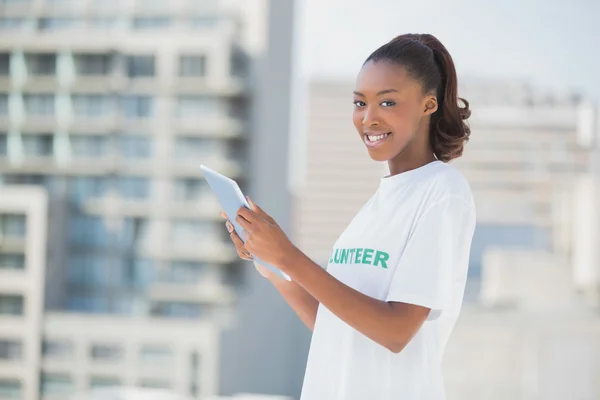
x=117 y=277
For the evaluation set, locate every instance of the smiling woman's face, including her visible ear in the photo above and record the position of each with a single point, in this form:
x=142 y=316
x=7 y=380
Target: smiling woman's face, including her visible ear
x=389 y=109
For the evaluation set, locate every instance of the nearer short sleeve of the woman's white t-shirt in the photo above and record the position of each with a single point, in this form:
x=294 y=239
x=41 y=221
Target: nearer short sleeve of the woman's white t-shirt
x=436 y=254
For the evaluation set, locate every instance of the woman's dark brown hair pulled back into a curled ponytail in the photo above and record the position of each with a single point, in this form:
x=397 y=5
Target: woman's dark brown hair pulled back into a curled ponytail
x=427 y=60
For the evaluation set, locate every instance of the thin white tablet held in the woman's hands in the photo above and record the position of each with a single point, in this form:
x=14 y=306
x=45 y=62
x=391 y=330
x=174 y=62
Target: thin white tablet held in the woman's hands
x=231 y=198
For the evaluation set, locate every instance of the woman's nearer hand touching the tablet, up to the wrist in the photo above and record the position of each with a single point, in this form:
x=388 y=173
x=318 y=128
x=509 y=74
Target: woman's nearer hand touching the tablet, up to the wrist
x=264 y=238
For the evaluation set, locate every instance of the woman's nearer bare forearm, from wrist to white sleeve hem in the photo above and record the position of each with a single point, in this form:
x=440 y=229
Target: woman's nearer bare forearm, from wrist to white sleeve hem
x=390 y=324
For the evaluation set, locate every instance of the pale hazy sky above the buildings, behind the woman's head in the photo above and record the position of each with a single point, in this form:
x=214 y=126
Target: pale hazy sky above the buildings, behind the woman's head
x=552 y=44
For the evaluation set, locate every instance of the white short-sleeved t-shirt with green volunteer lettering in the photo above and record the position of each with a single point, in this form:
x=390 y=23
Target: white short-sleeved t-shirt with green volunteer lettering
x=409 y=243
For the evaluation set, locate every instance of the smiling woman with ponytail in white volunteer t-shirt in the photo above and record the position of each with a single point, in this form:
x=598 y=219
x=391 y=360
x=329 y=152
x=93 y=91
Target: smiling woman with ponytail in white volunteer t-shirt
x=383 y=309
